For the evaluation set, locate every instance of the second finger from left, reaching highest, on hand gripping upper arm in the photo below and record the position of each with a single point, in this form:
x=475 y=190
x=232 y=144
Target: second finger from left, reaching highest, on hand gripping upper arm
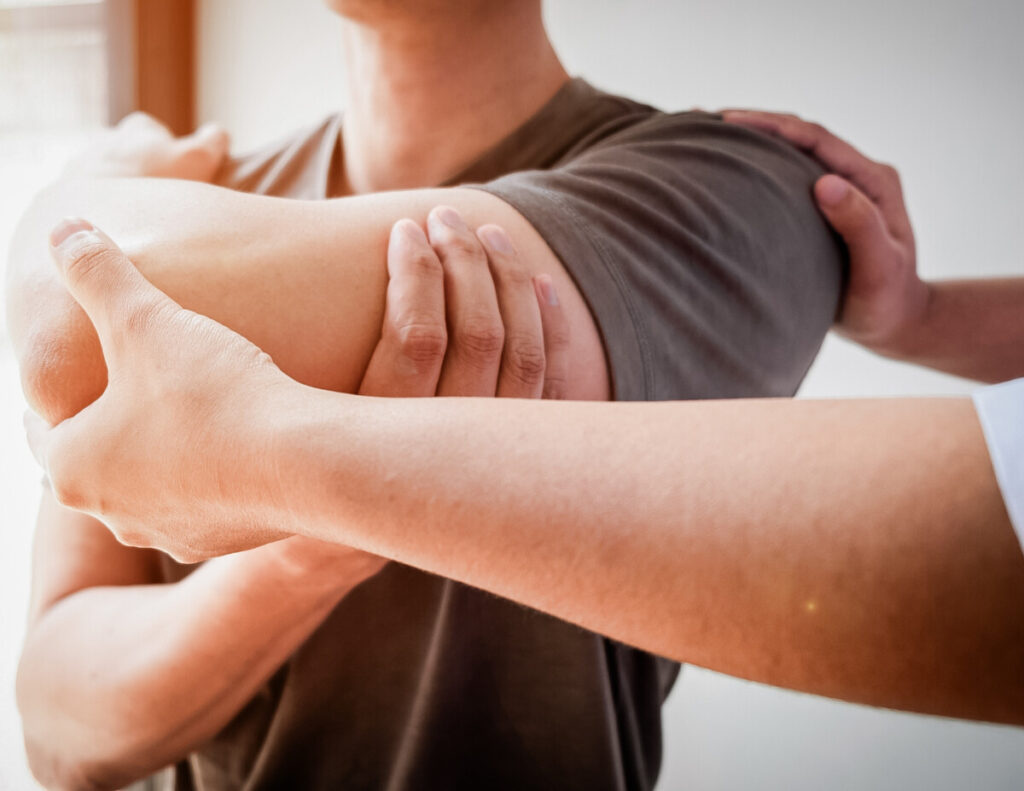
x=477 y=337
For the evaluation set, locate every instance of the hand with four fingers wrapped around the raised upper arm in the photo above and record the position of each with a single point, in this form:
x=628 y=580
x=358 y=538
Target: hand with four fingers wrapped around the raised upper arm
x=509 y=338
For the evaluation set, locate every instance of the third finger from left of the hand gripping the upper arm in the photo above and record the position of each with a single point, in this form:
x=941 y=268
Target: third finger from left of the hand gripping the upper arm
x=522 y=374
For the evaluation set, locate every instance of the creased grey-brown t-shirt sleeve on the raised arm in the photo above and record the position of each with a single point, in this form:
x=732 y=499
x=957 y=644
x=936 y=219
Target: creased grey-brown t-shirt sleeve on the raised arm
x=699 y=249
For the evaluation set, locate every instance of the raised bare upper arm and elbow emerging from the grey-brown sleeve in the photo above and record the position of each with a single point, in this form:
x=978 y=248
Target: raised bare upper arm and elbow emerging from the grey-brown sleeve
x=304 y=280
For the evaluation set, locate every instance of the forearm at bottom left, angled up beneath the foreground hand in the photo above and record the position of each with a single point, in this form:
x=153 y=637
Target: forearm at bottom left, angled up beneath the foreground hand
x=116 y=683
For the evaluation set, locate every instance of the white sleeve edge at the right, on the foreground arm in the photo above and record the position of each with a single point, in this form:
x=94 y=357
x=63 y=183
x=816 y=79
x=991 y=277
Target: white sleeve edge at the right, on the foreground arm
x=1001 y=410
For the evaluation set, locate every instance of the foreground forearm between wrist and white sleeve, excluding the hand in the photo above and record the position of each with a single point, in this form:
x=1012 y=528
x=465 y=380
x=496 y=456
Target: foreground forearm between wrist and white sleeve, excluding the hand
x=859 y=551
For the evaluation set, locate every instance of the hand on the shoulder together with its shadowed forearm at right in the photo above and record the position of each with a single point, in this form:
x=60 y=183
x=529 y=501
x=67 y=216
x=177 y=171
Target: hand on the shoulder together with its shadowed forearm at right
x=971 y=328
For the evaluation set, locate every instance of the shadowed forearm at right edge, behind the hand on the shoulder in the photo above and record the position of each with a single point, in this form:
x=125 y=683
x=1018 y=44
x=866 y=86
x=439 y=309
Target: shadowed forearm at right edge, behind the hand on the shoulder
x=971 y=328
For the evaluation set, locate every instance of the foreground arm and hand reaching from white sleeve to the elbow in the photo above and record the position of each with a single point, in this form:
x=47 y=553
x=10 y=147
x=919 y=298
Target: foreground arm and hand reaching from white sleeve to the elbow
x=856 y=550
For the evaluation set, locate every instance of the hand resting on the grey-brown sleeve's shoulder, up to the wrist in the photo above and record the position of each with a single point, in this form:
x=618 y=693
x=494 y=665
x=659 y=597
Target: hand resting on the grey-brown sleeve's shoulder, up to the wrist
x=886 y=300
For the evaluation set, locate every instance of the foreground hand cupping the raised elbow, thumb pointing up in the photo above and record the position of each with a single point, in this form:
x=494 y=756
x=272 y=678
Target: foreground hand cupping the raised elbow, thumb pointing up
x=178 y=452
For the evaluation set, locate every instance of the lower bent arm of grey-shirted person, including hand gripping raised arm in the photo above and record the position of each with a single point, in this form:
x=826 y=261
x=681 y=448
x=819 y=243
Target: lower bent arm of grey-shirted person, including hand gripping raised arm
x=177 y=662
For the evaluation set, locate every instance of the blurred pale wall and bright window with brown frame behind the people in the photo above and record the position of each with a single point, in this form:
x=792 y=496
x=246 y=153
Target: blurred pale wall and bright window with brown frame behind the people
x=933 y=87
